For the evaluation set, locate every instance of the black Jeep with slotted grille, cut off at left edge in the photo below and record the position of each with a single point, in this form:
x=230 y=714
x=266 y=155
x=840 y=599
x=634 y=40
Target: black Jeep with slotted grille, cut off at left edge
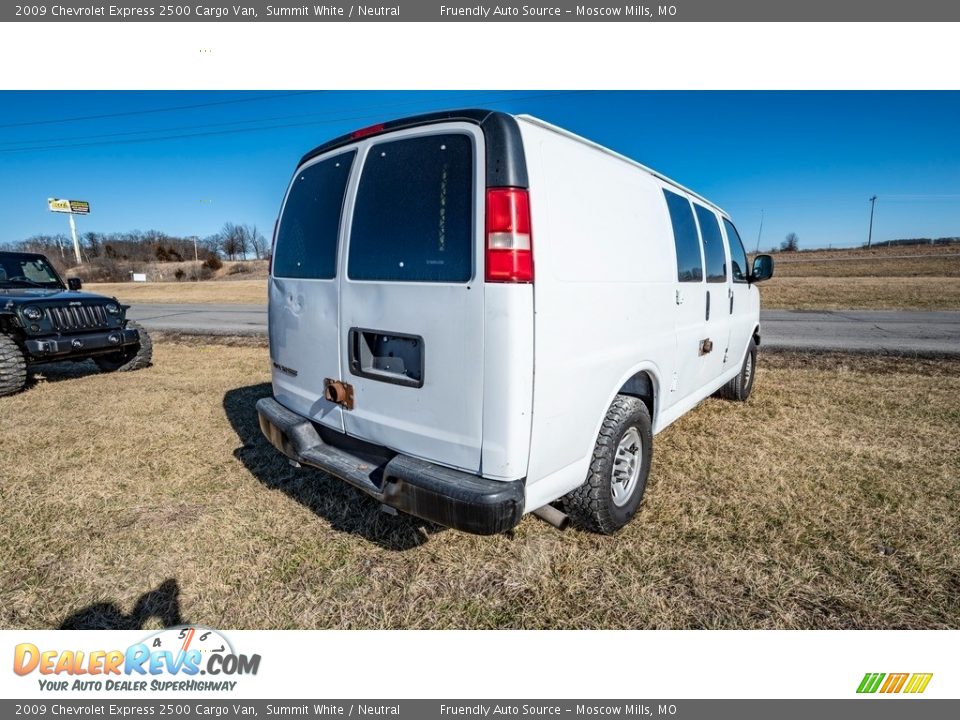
x=43 y=320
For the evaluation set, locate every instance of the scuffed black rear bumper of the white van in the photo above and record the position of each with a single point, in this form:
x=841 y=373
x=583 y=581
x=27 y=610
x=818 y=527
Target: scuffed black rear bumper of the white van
x=448 y=497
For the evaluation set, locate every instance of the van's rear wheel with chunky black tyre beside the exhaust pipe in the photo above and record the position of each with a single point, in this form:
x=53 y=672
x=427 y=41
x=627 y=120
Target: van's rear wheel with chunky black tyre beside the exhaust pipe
x=618 y=472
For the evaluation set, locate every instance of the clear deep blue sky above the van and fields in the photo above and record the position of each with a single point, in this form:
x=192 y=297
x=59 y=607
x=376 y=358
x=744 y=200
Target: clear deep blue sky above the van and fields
x=808 y=160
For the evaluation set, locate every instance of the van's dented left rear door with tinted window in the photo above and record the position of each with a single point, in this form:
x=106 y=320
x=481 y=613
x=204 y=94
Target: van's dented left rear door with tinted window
x=305 y=288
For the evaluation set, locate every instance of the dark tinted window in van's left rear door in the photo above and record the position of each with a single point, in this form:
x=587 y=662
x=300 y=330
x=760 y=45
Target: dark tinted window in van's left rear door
x=307 y=236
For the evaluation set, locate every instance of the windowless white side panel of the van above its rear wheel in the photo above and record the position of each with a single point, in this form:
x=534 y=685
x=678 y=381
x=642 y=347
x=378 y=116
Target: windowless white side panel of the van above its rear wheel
x=603 y=290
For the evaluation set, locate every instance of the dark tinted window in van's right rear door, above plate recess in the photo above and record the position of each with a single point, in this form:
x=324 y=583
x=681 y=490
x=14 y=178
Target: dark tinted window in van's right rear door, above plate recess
x=414 y=211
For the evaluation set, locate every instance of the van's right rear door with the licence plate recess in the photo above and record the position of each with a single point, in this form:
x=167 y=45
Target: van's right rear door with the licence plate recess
x=412 y=294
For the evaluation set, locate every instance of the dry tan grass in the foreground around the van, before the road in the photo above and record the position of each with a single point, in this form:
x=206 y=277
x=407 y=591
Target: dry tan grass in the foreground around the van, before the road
x=829 y=500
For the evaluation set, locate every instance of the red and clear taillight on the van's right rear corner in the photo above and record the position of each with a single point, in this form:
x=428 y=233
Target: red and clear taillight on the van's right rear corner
x=509 y=255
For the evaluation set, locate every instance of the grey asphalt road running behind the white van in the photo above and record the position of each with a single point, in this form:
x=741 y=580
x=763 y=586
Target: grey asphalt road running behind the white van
x=896 y=332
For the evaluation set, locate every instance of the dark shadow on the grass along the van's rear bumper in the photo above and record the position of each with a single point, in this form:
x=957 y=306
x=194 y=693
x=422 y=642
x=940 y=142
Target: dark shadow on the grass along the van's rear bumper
x=344 y=507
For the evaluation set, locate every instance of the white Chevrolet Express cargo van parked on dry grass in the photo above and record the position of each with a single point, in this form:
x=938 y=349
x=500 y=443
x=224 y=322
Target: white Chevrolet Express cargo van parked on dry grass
x=474 y=315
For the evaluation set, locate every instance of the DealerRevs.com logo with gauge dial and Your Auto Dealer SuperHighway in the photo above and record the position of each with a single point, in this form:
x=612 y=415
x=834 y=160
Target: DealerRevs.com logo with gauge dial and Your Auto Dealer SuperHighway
x=178 y=659
